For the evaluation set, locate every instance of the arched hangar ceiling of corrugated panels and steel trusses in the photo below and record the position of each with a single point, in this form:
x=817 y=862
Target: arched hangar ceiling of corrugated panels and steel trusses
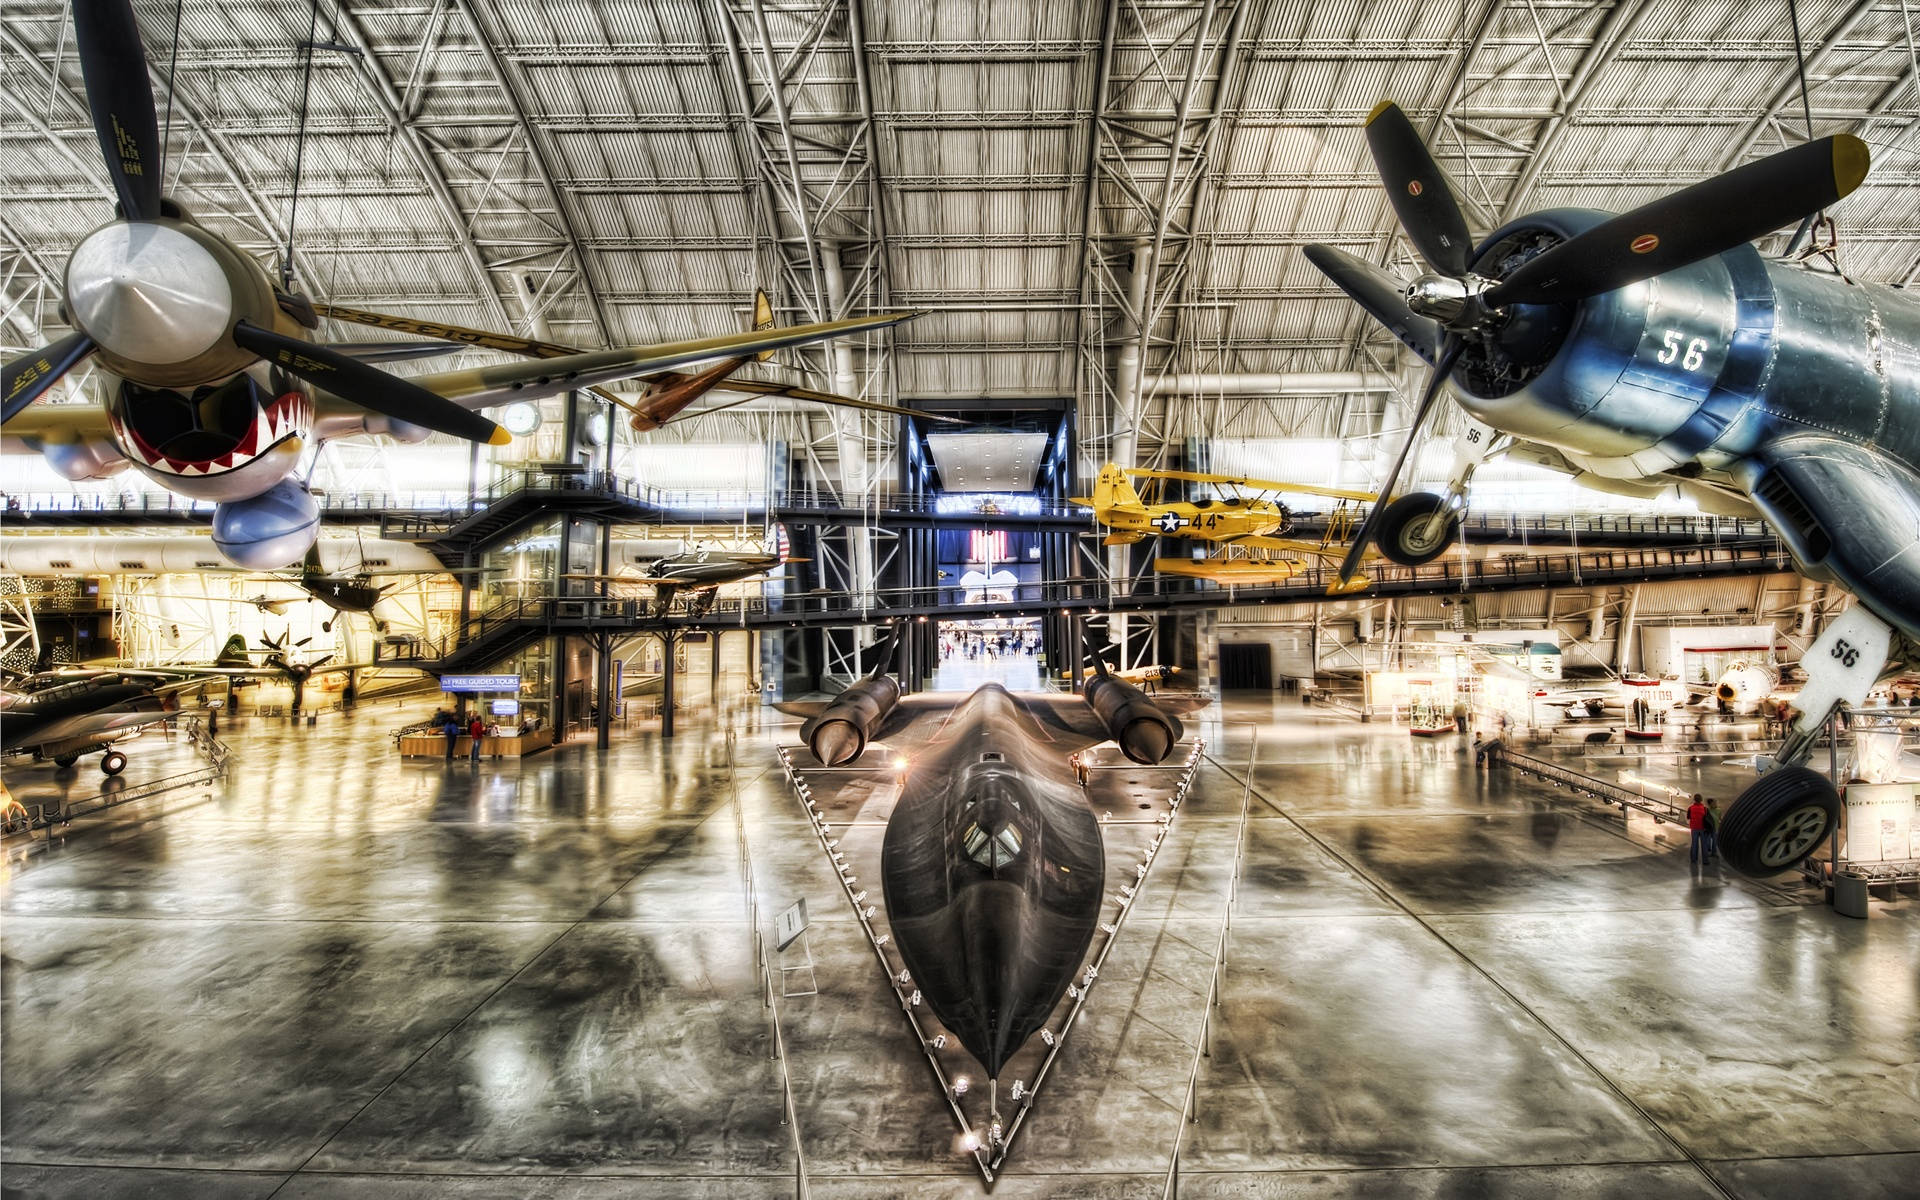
x=1099 y=204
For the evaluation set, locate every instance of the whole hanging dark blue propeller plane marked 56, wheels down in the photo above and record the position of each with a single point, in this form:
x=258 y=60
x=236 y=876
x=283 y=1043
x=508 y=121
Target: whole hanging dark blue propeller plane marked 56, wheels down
x=1660 y=350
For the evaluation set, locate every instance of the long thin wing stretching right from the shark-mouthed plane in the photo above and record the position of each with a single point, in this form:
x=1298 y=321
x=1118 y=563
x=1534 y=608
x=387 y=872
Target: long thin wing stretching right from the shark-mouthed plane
x=485 y=387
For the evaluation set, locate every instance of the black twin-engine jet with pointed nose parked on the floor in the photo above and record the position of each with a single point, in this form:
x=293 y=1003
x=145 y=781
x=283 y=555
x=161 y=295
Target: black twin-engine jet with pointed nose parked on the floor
x=994 y=863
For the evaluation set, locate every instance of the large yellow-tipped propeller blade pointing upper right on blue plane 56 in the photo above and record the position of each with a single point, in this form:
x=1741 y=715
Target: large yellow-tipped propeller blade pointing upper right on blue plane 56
x=1691 y=226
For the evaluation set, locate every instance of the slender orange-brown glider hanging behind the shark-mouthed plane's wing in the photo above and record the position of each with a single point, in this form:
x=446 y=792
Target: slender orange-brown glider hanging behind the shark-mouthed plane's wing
x=669 y=393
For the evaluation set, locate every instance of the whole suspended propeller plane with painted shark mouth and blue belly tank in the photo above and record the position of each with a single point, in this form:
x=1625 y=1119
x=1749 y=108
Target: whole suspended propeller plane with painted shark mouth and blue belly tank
x=214 y=383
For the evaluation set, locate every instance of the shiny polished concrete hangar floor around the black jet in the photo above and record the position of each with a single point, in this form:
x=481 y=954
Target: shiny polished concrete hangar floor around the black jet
x=343 y=974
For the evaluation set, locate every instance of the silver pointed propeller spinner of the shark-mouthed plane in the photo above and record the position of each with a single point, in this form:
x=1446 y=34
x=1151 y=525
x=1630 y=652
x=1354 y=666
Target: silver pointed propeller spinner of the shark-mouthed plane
x=149 y=293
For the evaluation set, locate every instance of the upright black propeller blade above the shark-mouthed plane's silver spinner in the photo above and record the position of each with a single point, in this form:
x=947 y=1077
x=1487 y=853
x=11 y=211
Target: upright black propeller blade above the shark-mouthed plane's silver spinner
x=122 y=103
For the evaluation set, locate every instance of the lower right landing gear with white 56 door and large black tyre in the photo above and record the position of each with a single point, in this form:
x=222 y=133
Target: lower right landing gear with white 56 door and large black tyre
x=1790 y=809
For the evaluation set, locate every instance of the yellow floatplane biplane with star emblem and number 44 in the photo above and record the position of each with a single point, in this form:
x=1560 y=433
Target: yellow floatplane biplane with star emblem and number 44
x=1249 y=519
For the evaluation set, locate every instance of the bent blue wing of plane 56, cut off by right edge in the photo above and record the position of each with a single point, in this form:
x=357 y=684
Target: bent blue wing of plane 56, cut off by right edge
x=1850 y=510
